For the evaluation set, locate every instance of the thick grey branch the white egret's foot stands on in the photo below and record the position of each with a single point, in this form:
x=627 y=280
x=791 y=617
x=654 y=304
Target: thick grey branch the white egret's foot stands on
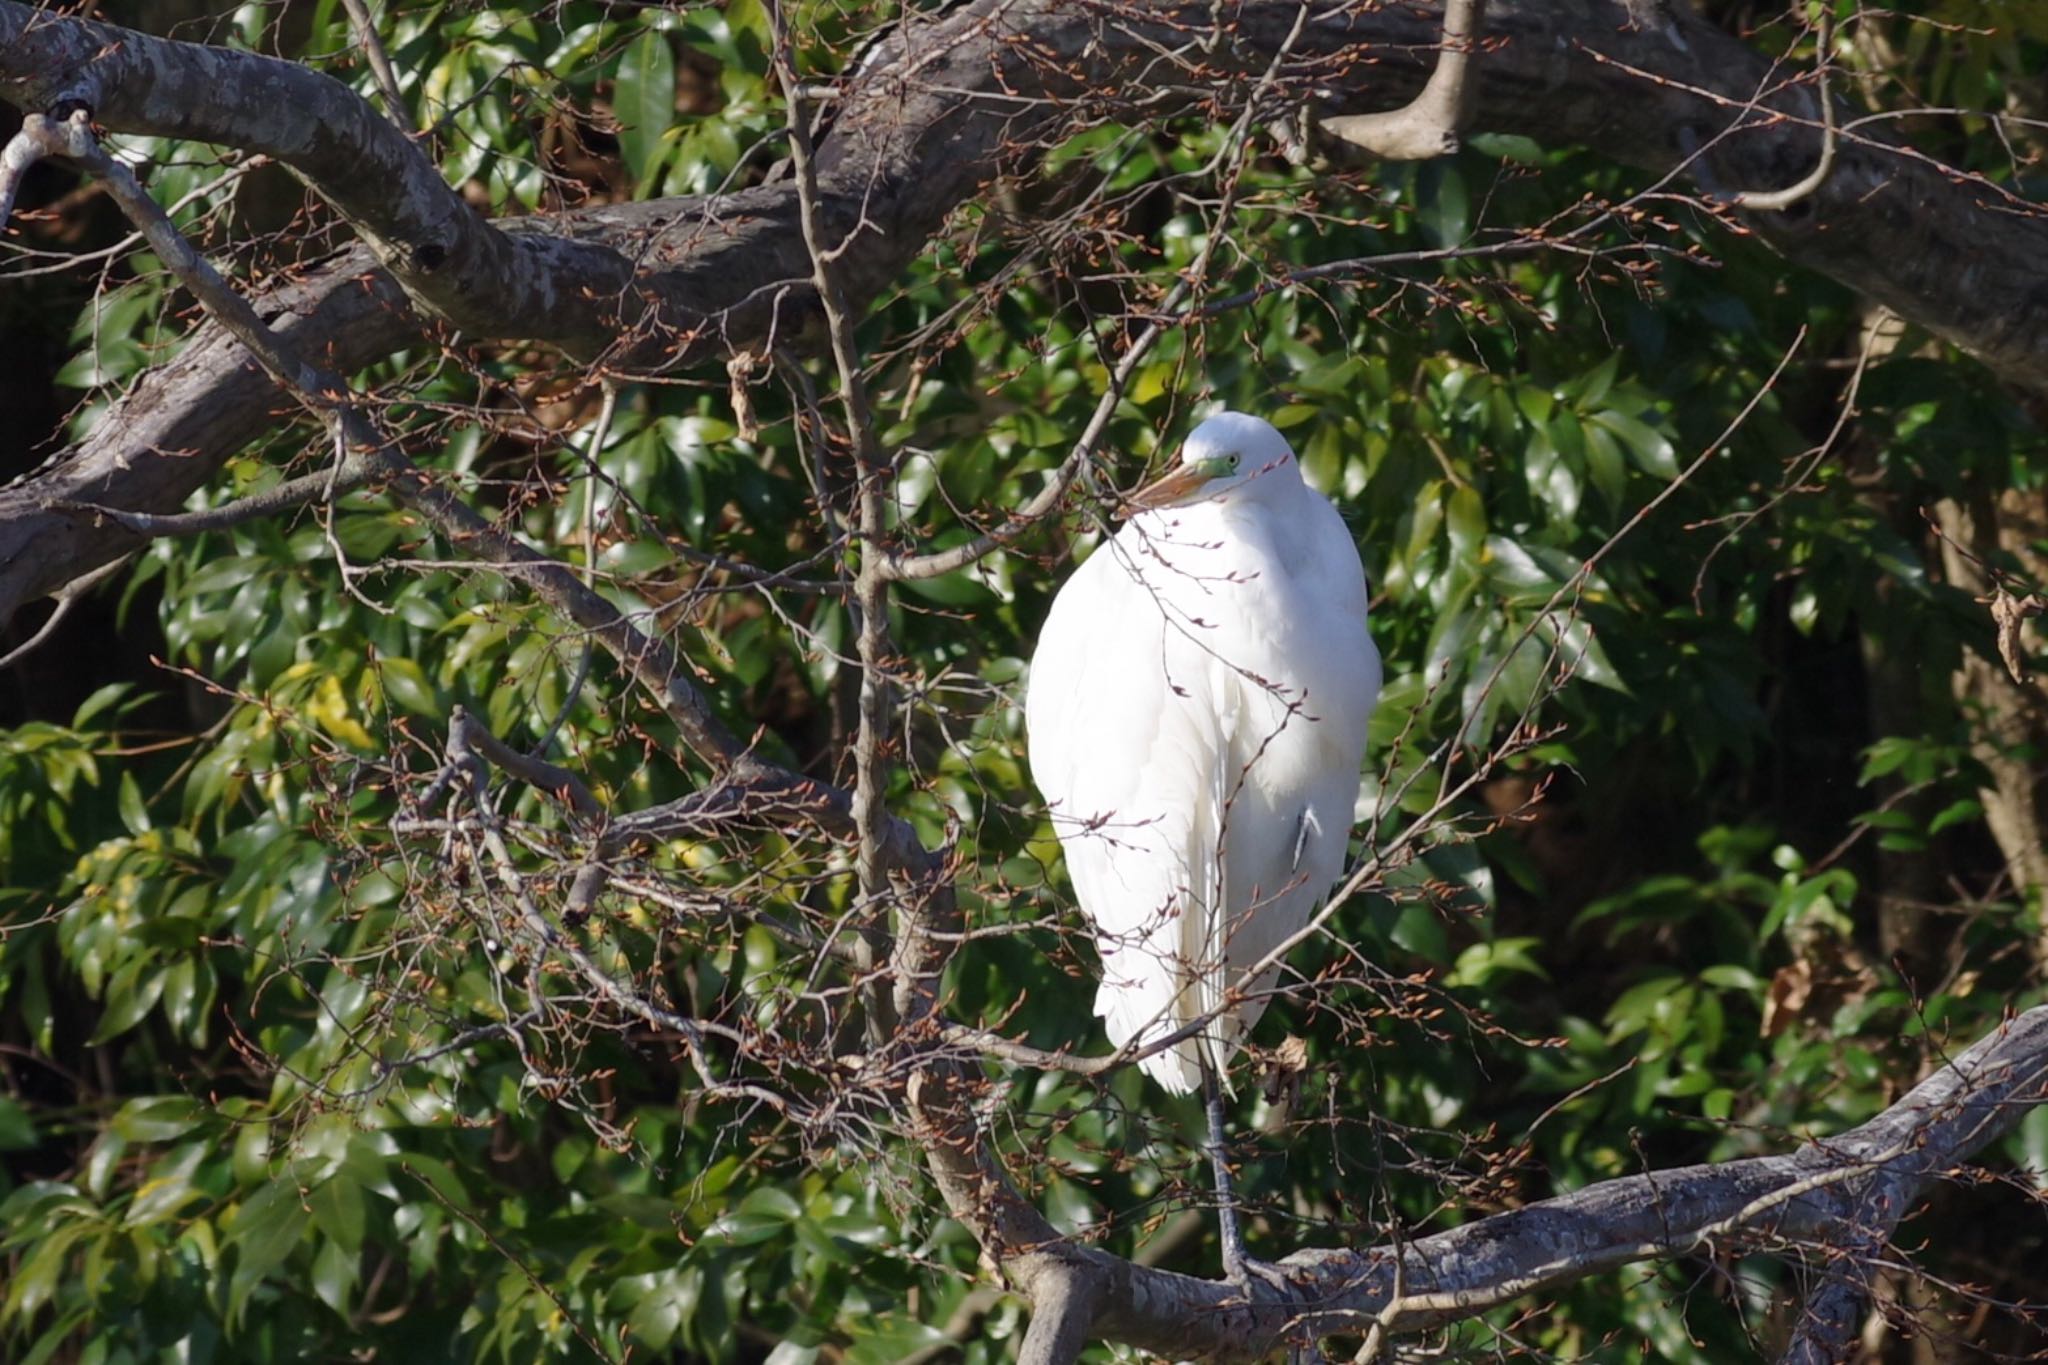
x=1828 y=1194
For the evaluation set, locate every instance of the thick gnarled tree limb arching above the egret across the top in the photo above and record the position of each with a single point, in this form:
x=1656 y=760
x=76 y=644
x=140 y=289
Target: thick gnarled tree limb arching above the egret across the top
x=921 y=128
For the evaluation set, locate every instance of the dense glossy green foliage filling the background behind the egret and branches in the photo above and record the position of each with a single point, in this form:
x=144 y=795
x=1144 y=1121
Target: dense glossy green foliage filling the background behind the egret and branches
x=1672 y=644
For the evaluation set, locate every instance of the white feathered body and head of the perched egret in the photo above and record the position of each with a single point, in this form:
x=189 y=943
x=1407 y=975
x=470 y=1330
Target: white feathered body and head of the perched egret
x=1197 y=715
